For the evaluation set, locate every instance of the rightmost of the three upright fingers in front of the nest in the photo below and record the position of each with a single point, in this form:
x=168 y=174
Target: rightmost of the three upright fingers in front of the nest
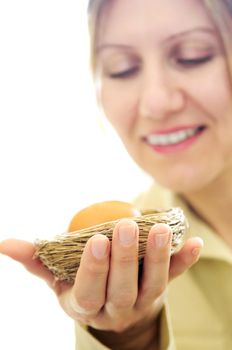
x=156 y=265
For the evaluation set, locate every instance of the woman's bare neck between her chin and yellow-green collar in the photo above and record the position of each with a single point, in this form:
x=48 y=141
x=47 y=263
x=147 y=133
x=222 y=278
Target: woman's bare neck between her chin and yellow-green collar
x=214 y=205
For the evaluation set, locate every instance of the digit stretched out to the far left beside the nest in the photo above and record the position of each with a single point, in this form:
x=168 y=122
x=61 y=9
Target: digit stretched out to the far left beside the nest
x=23 y=252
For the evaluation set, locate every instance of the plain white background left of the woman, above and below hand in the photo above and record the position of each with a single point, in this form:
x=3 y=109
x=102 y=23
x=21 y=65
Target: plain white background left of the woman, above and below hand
x=56 y=155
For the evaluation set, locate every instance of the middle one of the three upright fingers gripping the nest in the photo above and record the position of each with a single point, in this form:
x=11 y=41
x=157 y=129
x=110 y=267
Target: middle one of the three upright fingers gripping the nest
x=123 y=279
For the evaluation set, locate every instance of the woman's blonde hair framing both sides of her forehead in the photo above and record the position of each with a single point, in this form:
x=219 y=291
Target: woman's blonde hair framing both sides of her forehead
x=219 y=10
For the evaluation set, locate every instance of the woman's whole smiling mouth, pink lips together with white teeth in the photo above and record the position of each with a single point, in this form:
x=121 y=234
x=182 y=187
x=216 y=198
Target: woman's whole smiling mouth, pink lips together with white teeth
x=171 y=140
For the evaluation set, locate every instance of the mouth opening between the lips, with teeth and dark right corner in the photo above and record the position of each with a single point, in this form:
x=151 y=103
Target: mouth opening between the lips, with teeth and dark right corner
x=173 y=138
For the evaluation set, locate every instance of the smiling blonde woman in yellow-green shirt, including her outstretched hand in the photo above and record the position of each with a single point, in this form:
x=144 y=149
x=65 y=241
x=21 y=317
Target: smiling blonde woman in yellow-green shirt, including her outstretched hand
x=161 y=69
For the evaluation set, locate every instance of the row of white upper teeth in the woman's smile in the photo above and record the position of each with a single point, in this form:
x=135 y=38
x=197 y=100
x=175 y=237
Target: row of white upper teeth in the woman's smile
x=171 y=138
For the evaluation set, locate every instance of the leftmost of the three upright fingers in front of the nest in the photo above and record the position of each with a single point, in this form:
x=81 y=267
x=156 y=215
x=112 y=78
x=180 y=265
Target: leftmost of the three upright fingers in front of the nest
x=87 y=296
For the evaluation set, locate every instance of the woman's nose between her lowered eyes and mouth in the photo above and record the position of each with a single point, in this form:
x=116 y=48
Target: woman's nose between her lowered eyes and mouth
x=161 y=95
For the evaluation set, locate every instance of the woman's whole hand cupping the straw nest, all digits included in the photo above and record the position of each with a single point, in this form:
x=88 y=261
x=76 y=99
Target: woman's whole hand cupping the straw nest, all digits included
x=107 y=294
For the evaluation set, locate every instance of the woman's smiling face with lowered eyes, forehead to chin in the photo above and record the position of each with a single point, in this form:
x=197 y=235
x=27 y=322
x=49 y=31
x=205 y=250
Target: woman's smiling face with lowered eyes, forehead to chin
x=165 y=89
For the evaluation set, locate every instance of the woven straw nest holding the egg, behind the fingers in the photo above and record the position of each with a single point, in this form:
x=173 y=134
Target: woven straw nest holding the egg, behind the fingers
x=62 y=254
